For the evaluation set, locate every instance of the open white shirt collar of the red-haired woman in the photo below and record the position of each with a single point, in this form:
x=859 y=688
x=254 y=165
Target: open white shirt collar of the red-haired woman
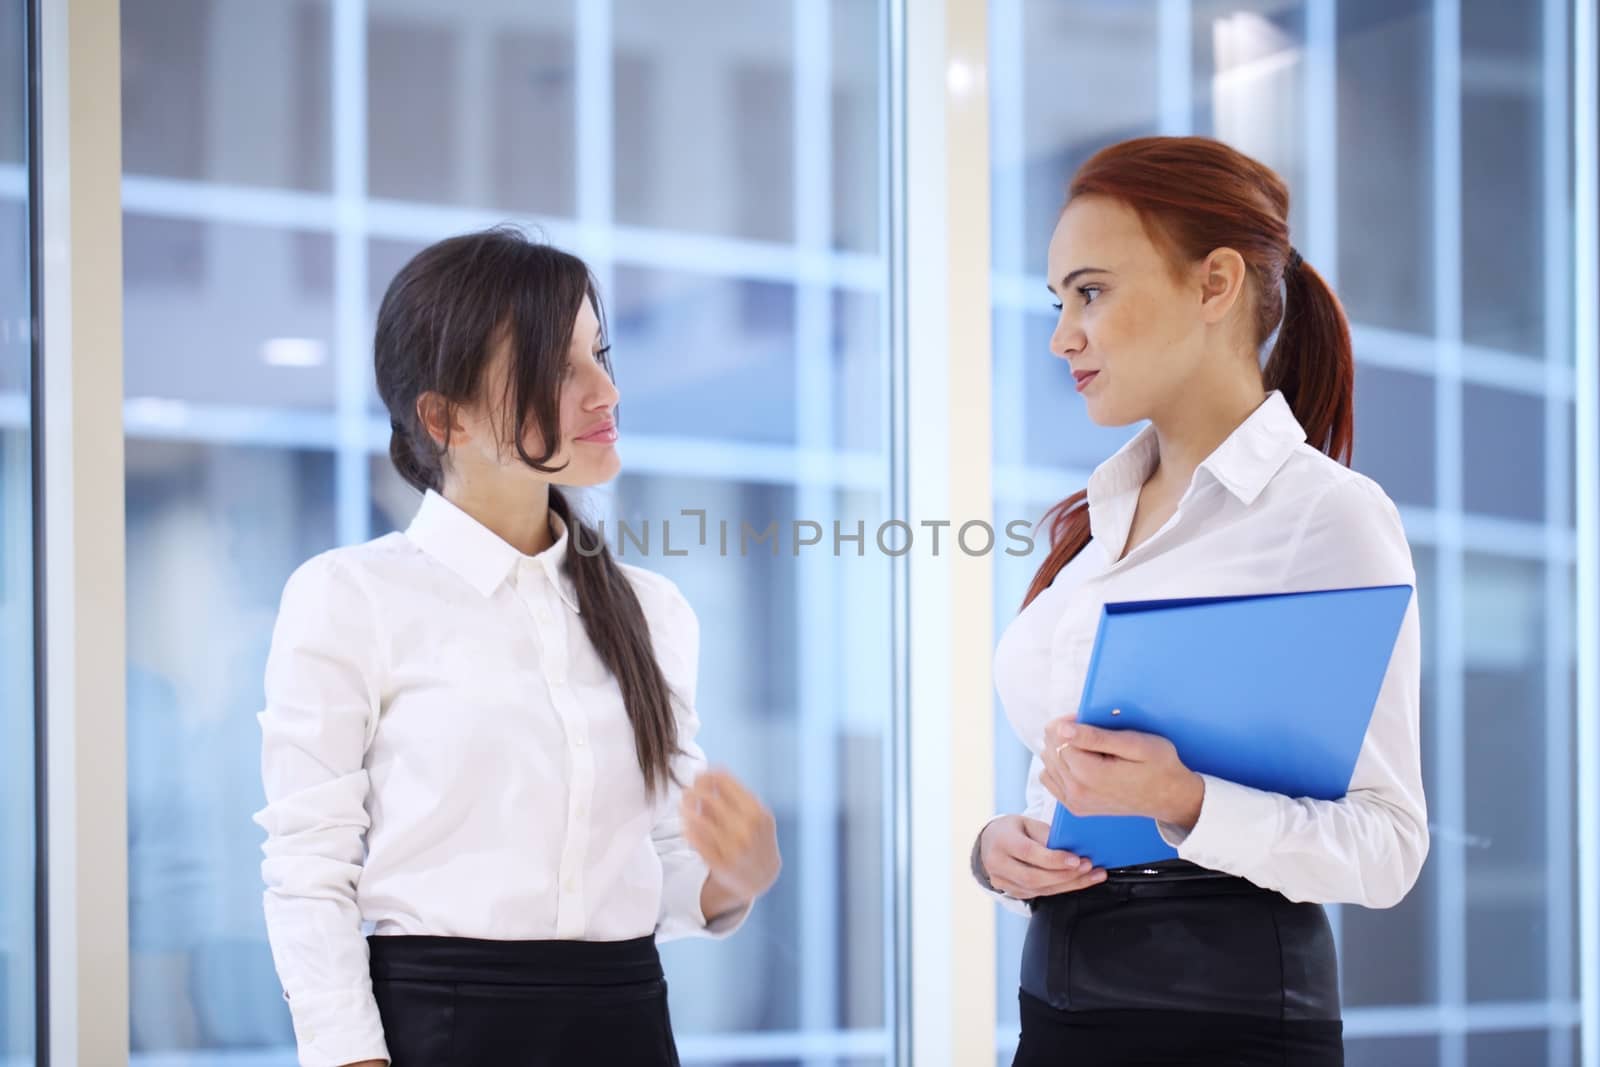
x=1242 y=465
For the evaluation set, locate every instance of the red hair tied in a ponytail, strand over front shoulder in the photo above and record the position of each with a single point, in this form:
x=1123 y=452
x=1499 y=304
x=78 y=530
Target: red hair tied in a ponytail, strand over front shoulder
x=1196 y=196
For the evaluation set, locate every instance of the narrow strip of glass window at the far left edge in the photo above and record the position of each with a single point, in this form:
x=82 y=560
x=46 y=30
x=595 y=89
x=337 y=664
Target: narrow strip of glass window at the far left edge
x=18 y=1037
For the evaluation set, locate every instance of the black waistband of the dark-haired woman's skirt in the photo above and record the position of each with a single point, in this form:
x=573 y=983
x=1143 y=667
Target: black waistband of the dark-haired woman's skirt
x=409 y=957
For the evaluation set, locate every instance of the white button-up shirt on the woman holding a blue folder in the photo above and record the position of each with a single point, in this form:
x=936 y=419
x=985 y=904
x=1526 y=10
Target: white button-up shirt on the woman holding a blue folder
x=1266 y=513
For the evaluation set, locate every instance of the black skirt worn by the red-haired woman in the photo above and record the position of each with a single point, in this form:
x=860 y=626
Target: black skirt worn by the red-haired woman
x=1186 y=967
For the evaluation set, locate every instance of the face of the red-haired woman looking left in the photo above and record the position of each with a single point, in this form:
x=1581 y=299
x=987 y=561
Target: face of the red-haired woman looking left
x=1132 y=332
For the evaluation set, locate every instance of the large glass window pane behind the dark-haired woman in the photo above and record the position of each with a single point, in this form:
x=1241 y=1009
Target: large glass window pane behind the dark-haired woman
x=722 y=172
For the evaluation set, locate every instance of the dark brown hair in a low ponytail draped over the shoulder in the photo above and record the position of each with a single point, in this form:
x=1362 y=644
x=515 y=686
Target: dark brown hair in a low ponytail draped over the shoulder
x=438 y=327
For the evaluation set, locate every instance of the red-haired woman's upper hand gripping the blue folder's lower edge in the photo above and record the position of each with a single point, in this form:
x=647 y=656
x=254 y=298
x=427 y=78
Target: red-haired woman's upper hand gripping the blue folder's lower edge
x=1097 y=772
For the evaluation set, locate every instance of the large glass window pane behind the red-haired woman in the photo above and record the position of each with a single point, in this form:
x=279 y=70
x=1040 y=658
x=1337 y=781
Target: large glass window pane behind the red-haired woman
x=1492 y=917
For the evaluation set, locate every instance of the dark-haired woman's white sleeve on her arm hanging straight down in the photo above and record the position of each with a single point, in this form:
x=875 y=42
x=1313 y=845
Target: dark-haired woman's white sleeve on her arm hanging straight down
x=322 y=703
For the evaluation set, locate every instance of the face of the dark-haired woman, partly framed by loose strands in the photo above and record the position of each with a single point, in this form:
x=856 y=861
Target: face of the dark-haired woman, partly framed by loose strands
x=588 y=402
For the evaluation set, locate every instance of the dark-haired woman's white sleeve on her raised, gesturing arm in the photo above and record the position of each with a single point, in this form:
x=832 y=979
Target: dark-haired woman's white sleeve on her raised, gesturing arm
x=676 y=631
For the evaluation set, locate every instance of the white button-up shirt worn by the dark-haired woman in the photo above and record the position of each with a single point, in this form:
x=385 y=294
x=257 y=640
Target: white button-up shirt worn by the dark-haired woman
x=446 y=754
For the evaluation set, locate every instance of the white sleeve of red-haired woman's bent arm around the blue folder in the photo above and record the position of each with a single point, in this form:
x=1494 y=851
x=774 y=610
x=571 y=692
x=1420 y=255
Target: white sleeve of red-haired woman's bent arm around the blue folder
x=1369 y=847
